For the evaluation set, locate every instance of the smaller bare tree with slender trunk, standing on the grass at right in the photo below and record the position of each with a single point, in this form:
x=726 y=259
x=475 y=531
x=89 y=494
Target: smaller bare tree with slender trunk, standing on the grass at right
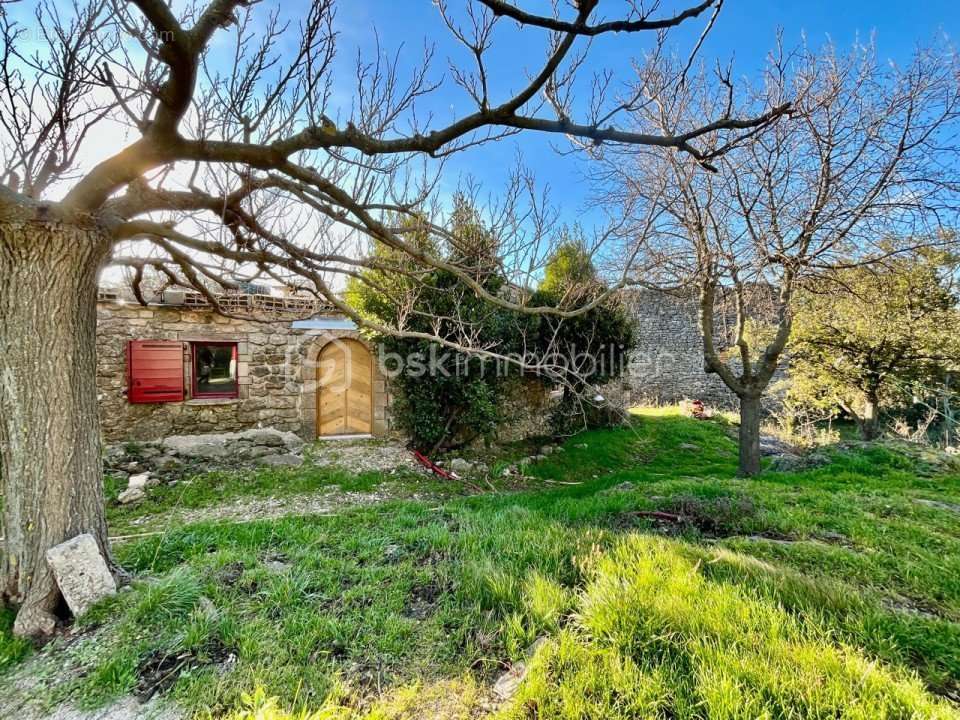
x=867 y=151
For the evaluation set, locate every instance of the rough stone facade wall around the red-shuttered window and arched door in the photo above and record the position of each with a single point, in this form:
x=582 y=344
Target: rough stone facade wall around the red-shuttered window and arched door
x=276 y=368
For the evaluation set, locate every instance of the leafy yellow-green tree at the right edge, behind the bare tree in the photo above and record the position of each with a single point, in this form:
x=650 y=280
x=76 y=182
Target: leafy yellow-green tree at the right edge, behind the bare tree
x=870 y=336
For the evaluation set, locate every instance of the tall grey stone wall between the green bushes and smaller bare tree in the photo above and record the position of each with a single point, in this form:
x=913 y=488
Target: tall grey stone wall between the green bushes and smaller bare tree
x=666 y=363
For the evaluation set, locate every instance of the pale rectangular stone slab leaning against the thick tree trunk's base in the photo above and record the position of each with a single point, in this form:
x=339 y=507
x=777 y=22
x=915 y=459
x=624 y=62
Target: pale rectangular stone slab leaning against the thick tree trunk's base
x=81 y=573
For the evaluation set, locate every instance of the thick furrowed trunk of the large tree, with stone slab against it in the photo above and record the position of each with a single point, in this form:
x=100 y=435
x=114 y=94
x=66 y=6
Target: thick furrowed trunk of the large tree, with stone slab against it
x=49 y=426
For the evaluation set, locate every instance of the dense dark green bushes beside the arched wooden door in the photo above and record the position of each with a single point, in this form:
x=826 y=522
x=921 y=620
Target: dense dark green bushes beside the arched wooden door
x=446 y=398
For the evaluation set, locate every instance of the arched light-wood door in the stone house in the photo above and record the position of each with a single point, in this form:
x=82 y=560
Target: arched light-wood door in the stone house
x=345 y=389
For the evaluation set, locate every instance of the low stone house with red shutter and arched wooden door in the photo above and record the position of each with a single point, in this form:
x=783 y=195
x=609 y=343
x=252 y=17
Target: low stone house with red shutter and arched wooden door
x=177 y=367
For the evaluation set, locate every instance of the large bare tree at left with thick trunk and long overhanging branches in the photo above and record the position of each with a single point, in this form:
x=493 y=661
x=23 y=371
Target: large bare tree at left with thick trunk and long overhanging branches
x=238 y=162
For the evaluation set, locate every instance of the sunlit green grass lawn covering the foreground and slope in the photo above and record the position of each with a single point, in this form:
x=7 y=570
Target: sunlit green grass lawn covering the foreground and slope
x=833 y=592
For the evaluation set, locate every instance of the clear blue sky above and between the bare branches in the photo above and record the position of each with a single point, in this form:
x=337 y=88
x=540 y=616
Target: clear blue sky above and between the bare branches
x=745 y=32
